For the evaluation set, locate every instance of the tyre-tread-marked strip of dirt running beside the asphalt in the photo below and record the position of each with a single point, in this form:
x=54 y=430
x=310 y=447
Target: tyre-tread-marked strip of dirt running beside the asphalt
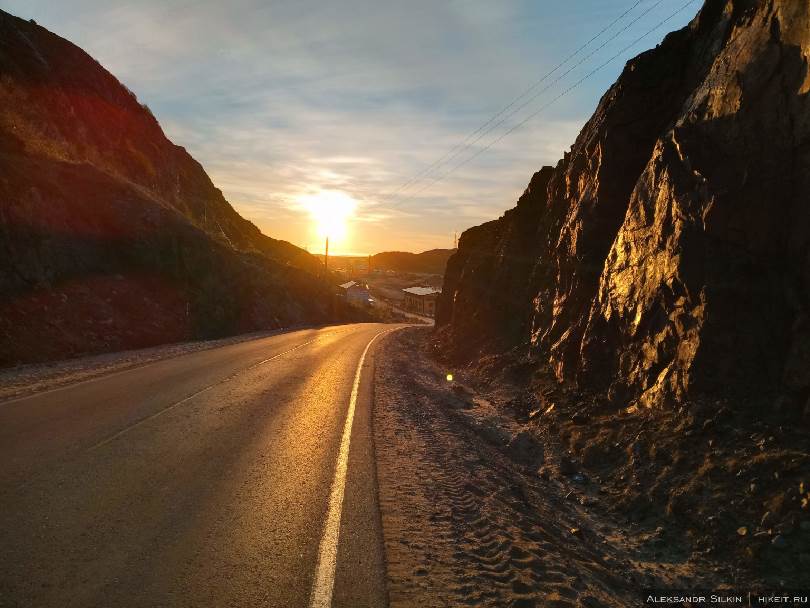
x=463 y=526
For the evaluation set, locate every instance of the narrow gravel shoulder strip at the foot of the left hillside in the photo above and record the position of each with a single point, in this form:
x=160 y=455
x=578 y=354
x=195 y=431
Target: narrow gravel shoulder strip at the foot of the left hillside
x=28 y=379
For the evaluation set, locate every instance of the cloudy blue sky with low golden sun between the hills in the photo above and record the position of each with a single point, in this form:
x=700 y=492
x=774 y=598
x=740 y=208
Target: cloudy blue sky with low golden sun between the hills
x=366 y=109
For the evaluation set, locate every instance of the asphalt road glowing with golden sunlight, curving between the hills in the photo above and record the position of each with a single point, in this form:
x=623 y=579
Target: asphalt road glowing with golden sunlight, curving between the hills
x=201 y=480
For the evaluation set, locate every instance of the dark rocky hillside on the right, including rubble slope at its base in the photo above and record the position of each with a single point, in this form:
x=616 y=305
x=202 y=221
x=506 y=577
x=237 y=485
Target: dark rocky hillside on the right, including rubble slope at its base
x=643 y=311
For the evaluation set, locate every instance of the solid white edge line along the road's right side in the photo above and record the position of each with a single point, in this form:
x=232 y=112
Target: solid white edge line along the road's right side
x=324 y=583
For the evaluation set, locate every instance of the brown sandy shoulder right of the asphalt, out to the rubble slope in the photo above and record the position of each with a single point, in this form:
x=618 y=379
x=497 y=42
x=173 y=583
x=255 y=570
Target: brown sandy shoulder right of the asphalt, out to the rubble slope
x=469 y=517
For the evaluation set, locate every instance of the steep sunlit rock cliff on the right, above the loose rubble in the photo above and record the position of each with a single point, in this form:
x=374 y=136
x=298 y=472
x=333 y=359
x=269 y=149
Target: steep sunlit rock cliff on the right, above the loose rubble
x=666 y=254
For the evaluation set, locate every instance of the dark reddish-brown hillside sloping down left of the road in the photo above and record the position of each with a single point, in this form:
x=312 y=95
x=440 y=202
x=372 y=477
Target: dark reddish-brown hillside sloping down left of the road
x=113 y=237
